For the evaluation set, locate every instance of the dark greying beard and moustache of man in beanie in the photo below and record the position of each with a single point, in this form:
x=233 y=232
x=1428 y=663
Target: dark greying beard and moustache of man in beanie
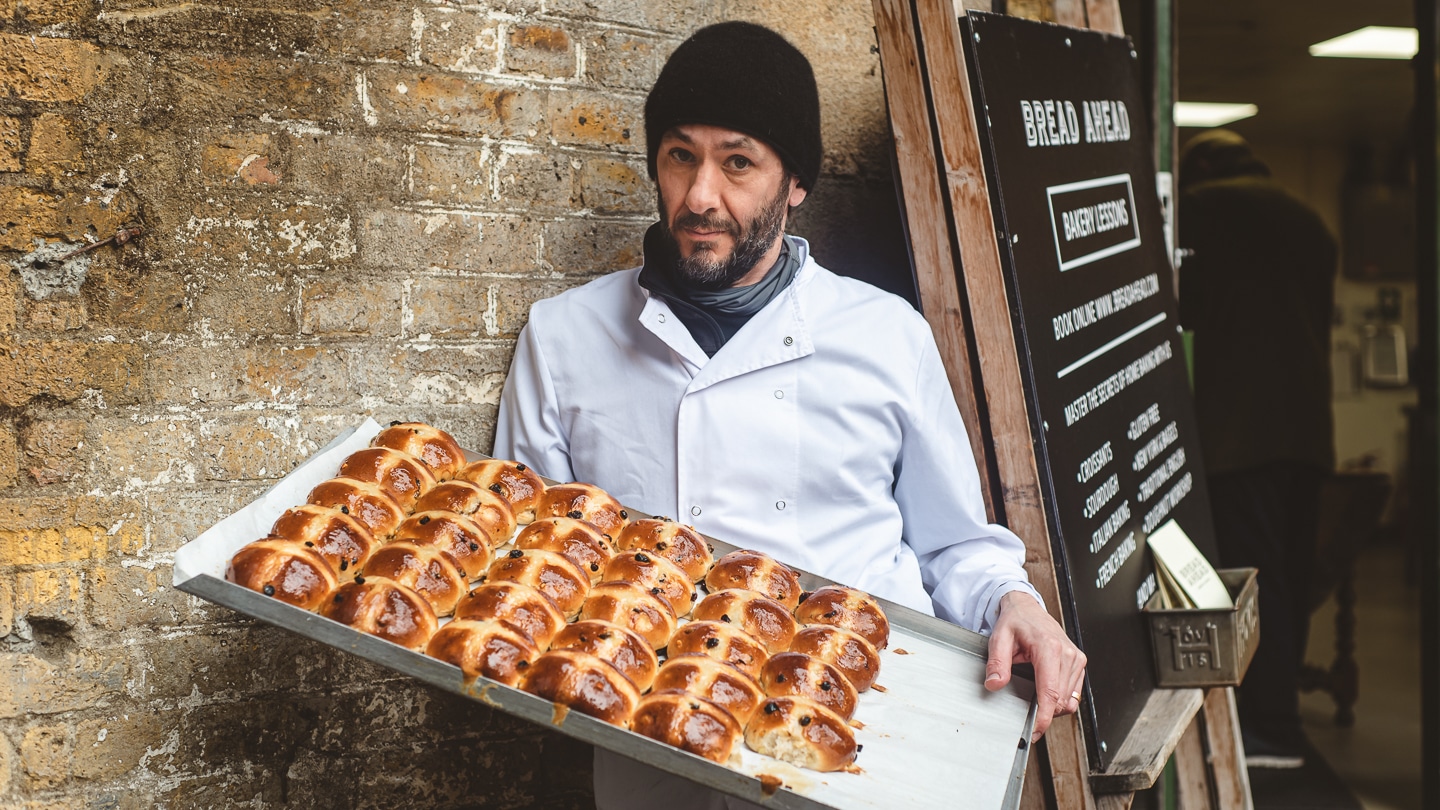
x=702 y=270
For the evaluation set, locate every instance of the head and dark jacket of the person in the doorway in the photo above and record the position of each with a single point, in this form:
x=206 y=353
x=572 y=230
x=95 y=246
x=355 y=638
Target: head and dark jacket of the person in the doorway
x=1259 y=295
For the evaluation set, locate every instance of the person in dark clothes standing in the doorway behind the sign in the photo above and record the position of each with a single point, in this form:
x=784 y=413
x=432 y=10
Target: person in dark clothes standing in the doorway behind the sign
x=1259 y=295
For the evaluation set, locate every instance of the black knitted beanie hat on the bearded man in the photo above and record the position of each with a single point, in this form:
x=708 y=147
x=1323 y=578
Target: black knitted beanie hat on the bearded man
x=747 y=79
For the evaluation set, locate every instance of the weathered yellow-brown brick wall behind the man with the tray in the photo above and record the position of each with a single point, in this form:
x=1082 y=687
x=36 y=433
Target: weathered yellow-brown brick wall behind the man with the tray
x=348 y=208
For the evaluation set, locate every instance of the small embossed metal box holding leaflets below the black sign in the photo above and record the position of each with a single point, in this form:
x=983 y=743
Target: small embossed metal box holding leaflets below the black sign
x=1207 y=648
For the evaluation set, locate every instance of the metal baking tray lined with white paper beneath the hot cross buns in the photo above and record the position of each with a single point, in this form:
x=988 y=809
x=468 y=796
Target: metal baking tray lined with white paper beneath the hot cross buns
x=932 y=739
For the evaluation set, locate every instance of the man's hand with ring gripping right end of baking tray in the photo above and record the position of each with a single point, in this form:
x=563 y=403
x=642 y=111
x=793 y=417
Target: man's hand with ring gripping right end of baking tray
x=1026 y=633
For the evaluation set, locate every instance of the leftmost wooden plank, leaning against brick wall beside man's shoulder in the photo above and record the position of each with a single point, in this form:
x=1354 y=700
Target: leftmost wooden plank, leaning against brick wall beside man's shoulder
x=927 y=224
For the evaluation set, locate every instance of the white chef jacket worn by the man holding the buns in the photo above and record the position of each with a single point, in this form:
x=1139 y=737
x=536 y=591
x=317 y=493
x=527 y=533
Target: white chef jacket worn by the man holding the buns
x=824 y=433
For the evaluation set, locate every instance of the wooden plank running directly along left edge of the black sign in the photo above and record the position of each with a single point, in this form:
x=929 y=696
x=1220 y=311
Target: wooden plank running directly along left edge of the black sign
x=1014 y=455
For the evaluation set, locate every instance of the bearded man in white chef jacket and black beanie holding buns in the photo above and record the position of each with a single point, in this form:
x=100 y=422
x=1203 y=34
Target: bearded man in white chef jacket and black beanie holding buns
x=738 y=386
